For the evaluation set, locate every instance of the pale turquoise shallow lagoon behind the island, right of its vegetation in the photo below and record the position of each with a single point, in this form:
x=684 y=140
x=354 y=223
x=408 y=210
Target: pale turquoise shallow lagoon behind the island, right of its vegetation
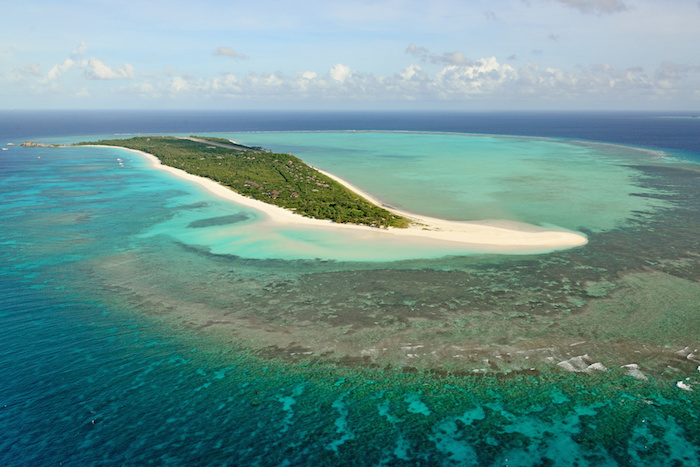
x=575 y=185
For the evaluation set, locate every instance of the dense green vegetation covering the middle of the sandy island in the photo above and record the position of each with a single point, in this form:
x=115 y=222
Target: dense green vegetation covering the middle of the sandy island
x=279 y=179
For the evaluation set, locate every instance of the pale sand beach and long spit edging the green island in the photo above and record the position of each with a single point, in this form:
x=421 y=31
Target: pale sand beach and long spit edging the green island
x=483 y=236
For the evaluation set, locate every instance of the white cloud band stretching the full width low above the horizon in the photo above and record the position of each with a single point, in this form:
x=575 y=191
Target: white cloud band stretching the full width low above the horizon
x=449 y=78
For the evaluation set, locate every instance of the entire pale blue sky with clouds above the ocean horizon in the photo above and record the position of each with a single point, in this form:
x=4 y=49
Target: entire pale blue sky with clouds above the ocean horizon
x=351 y=55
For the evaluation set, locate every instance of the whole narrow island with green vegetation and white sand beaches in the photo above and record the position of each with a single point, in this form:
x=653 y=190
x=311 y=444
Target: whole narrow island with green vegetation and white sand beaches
x=291 y=192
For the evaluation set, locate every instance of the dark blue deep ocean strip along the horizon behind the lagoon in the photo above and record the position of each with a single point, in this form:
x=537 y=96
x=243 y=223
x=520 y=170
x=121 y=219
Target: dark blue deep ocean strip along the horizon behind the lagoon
x=654 y=129
